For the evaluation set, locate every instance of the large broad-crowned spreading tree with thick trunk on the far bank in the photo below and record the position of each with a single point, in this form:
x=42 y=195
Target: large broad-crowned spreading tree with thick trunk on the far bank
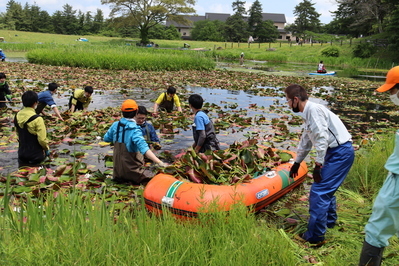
x=145 y=14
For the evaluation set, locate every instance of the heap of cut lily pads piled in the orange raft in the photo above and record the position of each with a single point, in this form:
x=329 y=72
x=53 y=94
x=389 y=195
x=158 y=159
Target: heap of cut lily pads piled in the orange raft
x=239 y=163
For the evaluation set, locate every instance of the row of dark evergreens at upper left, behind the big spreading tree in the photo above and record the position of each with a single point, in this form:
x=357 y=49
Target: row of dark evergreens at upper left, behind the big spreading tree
x=69 y=21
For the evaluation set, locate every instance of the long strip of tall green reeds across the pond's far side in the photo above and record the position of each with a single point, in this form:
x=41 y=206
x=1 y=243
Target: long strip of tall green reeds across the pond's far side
x=132 y=59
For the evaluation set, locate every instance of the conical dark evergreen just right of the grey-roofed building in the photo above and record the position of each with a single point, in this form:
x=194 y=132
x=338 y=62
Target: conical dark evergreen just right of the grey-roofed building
x=307 y=19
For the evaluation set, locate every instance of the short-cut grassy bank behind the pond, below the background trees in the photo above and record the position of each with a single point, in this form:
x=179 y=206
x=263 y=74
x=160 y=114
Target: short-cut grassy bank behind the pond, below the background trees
x=279 y=52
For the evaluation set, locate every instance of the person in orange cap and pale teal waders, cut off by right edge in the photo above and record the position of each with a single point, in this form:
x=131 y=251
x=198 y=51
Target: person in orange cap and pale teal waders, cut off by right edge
x=384 y=220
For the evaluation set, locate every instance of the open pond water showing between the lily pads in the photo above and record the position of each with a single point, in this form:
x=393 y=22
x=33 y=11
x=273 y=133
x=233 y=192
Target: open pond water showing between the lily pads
x=231 y=101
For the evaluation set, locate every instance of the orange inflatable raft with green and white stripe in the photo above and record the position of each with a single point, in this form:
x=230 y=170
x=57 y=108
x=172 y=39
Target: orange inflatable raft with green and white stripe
x=185 y=199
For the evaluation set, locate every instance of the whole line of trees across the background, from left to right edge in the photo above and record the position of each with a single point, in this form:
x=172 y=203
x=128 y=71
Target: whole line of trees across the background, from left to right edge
x=145 y=19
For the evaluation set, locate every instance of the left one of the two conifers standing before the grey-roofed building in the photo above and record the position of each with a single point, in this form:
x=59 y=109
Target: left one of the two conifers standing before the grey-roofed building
x=236 y=27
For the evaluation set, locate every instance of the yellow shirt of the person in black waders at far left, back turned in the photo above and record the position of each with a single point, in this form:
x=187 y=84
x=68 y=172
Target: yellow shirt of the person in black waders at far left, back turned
x=35 y=127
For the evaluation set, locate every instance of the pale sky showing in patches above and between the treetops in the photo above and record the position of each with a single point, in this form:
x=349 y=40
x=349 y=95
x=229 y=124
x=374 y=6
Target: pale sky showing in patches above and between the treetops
x=286 y=7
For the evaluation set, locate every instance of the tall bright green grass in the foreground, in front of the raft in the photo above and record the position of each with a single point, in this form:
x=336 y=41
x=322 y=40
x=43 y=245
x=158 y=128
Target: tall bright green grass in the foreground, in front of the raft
x=74 y=229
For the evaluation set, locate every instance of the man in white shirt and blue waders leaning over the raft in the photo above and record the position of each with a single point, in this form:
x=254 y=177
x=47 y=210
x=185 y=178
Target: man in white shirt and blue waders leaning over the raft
x=324 y=131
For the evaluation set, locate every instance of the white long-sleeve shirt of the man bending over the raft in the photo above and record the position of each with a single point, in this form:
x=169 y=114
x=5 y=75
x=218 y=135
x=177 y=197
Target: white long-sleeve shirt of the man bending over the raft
x=322 y=129
